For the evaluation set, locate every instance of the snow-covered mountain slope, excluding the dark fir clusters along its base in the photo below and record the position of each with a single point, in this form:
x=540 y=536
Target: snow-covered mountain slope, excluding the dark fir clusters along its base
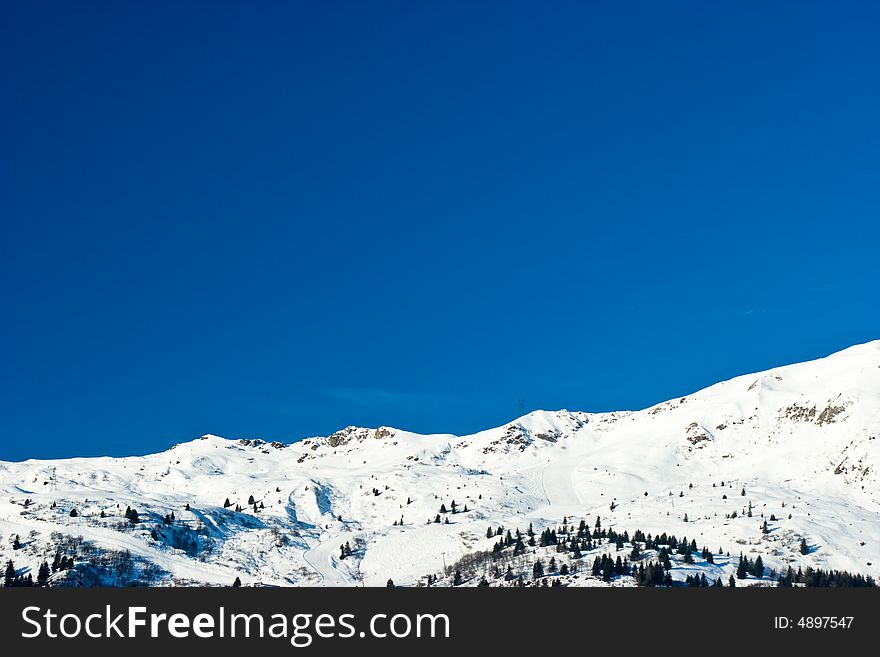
x=799 y=444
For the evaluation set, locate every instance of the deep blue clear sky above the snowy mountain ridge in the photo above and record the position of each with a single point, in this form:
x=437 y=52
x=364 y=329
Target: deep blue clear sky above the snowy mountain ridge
x=276 y=219
